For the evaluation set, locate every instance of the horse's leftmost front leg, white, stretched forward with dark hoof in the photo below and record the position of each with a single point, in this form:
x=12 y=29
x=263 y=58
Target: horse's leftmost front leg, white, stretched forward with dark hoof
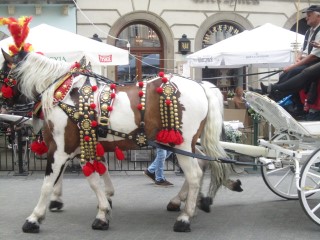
x=52 y=173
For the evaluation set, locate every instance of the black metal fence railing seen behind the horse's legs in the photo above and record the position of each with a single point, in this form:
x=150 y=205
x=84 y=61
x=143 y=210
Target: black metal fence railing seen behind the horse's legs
x=16 y=156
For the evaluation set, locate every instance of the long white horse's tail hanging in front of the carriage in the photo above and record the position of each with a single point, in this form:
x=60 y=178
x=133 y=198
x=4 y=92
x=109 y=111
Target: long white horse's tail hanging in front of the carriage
x=210 y=139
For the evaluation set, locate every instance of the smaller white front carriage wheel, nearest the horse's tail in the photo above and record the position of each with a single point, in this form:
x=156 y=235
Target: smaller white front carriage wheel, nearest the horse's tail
x=281 y=180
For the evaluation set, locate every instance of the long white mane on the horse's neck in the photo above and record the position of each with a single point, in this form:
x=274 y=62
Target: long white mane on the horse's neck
x=36 y=73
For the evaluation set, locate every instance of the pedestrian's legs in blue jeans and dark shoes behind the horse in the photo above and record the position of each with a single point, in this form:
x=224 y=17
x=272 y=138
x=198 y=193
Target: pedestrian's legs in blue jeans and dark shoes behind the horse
x=155 y=170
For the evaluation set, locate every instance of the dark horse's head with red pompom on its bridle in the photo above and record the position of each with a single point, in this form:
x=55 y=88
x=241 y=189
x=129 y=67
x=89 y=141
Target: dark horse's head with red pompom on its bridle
x=10 y=96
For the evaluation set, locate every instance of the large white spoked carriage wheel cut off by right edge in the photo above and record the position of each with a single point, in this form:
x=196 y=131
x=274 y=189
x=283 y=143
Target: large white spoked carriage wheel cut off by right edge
x=310 y=184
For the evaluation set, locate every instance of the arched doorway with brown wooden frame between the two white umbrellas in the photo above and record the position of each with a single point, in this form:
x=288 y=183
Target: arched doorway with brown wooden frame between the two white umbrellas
x=146 y=52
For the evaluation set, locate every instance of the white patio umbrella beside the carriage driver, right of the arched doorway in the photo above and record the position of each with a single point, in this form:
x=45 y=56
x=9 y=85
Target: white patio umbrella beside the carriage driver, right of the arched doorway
x=265 y=46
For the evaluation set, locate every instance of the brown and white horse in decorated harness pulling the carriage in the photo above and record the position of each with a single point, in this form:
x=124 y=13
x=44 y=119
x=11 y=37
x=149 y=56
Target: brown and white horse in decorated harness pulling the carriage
x=201 y=114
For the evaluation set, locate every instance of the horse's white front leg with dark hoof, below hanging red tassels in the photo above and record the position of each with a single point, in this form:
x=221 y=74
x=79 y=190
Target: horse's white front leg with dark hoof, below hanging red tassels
x=101 y=222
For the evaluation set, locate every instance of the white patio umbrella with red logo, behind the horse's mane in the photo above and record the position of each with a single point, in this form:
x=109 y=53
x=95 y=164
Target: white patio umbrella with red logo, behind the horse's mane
x=67 y=46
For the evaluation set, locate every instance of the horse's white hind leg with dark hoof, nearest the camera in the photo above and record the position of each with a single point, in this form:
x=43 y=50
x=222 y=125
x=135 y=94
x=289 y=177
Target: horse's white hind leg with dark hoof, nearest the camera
x=193 y=175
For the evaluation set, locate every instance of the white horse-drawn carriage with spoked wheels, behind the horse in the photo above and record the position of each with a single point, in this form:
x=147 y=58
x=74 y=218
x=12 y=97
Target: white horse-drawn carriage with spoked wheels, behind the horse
x=291 y=158
